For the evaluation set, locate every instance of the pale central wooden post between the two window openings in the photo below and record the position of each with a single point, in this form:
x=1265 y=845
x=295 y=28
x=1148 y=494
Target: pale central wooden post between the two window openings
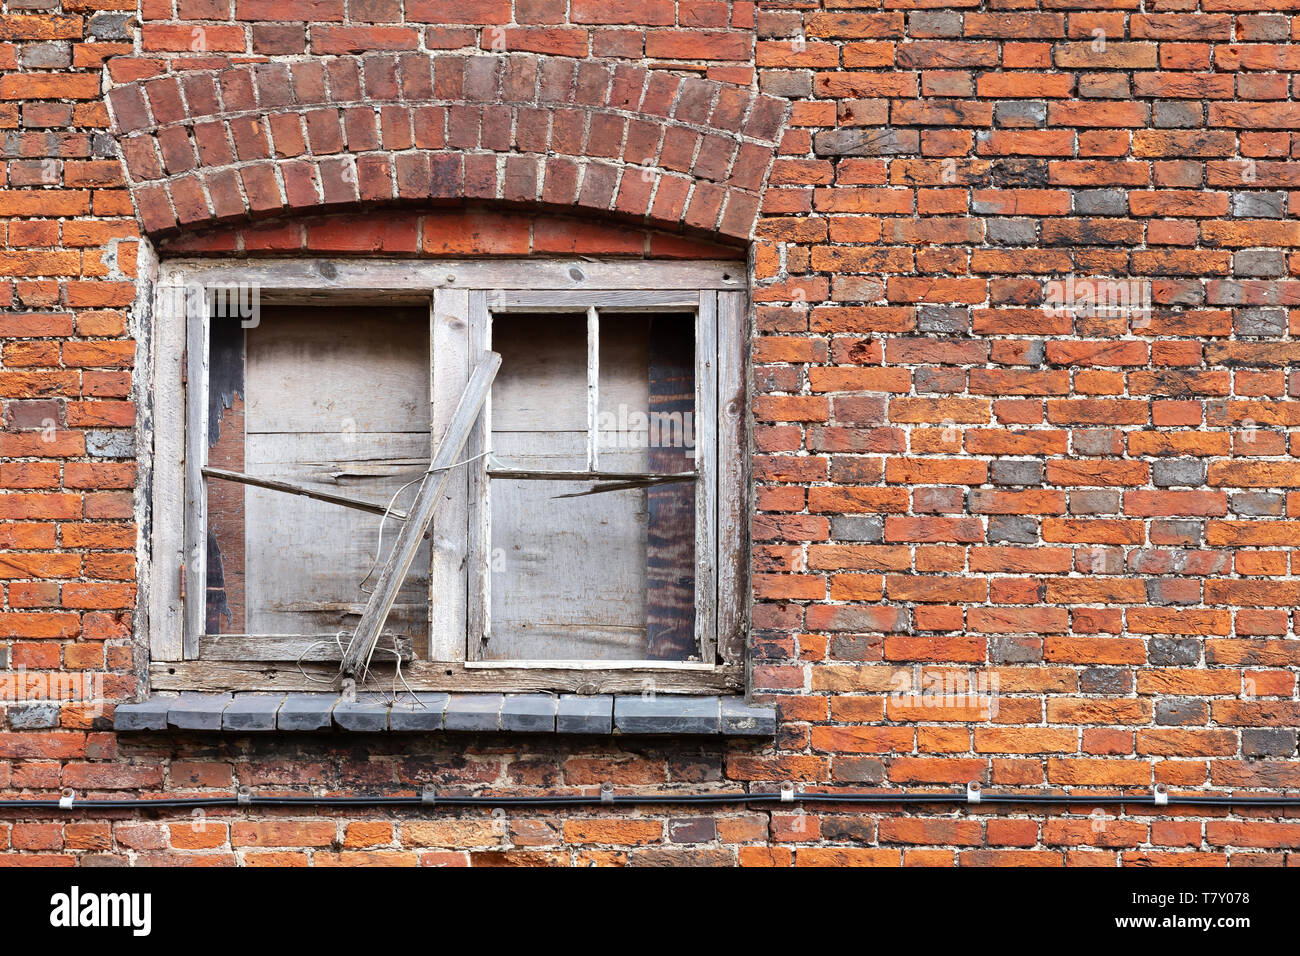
x=449 y=330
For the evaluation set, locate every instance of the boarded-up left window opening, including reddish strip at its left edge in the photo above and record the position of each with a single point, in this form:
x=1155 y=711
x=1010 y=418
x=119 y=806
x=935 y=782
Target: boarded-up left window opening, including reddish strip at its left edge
x=330 y=400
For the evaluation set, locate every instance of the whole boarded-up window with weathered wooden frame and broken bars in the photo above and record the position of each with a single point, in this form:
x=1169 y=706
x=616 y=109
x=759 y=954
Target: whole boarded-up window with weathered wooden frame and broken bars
x=591 y=534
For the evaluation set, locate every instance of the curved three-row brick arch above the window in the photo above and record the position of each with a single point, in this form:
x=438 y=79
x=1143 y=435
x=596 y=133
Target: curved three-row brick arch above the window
x=263 y=140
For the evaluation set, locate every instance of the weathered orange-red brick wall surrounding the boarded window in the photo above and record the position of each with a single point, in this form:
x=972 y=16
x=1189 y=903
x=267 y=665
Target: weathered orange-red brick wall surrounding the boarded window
x=961 y=469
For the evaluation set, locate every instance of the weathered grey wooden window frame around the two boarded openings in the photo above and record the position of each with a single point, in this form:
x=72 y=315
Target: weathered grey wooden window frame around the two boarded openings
x=462 y=296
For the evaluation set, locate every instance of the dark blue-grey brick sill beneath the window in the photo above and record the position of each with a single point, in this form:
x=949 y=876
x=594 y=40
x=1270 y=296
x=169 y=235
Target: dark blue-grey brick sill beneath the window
x=484 y=713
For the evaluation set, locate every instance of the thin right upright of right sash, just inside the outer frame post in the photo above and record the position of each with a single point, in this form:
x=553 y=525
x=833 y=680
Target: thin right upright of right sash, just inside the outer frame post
x=707 y=464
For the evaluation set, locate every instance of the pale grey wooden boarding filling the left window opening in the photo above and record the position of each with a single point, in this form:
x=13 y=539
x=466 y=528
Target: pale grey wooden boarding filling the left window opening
x=333 y=396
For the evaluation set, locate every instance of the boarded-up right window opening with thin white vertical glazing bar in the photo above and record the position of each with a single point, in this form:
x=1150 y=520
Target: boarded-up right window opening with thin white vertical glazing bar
x=582 y=569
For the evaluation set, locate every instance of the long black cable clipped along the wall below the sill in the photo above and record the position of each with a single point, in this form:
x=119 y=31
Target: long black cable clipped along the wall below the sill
x=964 y=799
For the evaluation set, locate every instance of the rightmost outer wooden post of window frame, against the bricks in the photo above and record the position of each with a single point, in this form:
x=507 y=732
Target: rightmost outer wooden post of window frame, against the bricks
x=734 y=550
